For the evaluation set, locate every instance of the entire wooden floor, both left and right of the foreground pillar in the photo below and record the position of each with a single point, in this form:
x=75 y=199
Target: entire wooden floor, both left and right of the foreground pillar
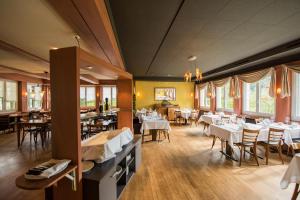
x=186 y=168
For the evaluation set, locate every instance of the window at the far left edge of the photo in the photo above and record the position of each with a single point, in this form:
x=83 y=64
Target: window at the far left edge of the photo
x=8 y=95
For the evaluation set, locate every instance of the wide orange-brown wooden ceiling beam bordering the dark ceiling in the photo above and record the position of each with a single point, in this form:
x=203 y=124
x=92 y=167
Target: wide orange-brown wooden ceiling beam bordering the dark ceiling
x=90 y=20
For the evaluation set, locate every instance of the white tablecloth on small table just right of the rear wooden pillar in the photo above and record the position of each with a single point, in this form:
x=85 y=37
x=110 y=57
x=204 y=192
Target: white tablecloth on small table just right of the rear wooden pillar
x=155 y=124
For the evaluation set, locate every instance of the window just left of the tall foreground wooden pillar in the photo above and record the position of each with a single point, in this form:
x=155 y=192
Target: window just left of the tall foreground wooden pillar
x=35 y=96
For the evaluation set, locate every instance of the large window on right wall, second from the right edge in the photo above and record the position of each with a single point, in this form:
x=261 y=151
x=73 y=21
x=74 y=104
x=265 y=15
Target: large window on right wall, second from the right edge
x=256 y=98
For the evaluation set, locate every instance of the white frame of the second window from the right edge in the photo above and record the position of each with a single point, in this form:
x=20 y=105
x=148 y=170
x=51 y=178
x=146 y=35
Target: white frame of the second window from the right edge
x=257 y=106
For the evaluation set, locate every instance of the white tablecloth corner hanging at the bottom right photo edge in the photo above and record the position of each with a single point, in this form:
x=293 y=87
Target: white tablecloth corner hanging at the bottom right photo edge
x=292 y=174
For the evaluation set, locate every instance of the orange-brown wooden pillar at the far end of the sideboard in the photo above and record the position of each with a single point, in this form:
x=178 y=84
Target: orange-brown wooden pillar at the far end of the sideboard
x=124 y=101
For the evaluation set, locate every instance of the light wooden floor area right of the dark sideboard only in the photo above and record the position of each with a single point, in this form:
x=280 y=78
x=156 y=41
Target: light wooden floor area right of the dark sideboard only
x=187 y=168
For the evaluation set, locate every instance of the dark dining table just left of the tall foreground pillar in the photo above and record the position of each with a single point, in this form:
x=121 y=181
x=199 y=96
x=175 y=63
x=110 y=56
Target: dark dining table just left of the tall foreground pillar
x=40 y=123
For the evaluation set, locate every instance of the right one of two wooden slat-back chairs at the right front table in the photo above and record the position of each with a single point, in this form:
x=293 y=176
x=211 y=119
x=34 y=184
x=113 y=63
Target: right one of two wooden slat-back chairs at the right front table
x=274 y=140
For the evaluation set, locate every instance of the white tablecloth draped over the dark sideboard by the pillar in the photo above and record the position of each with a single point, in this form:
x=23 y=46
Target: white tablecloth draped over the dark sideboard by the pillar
x=105 y=145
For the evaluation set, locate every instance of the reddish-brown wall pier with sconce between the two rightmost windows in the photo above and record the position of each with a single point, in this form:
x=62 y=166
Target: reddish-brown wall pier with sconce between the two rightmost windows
x=283 y=105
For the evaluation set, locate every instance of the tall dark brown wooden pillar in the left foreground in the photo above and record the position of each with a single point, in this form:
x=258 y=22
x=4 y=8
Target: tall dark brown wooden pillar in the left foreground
x=65 y=108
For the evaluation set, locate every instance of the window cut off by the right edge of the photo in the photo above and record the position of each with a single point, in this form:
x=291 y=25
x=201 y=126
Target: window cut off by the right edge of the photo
x=295 y=97
